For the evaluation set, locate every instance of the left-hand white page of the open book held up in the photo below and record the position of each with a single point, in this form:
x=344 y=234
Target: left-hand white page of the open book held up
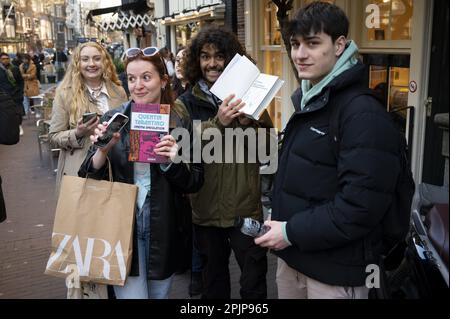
x=236 y=79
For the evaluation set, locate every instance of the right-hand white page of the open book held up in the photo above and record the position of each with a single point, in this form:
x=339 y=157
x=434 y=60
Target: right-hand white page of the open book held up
x=258 y=92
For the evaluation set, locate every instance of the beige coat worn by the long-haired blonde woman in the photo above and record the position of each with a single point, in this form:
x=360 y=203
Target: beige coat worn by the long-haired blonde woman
x=62 y=136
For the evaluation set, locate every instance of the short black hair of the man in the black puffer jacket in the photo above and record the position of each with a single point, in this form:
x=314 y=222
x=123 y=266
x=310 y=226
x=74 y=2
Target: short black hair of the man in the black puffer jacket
x=319 y=17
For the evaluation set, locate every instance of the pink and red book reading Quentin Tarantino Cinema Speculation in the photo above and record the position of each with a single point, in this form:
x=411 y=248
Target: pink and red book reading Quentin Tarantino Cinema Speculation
x=149 y=124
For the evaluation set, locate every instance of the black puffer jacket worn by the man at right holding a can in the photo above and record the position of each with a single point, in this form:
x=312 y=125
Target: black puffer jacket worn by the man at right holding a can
x=334 y=207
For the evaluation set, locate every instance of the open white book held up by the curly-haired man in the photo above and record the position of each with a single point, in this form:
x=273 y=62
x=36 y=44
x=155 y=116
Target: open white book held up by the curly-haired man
x=242 y=78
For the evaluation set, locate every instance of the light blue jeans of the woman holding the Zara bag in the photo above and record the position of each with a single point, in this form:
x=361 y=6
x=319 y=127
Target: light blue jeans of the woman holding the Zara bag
x=140 y=287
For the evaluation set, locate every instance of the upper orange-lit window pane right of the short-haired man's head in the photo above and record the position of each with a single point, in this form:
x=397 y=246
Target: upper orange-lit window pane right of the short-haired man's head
x=394 y=20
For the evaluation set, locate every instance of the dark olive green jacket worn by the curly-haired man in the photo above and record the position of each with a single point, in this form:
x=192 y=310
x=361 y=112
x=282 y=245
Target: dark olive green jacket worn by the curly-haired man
x=232 y=189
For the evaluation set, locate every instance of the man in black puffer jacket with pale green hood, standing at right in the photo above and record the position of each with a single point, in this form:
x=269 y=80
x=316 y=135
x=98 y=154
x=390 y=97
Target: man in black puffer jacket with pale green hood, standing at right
x=327 y=207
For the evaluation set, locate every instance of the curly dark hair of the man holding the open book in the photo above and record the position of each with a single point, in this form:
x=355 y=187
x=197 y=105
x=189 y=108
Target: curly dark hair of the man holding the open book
x=221 y=38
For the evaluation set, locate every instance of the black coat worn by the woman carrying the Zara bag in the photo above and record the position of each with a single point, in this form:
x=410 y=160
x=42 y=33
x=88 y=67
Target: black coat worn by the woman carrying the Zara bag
x=170 y=222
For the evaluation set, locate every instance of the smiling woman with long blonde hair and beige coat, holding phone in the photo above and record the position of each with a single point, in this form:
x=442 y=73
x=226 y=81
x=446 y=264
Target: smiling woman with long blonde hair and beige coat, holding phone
x=90 y=85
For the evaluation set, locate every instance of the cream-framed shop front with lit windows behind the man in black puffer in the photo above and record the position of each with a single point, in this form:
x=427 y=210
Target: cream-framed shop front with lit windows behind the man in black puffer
x=400 y=41
